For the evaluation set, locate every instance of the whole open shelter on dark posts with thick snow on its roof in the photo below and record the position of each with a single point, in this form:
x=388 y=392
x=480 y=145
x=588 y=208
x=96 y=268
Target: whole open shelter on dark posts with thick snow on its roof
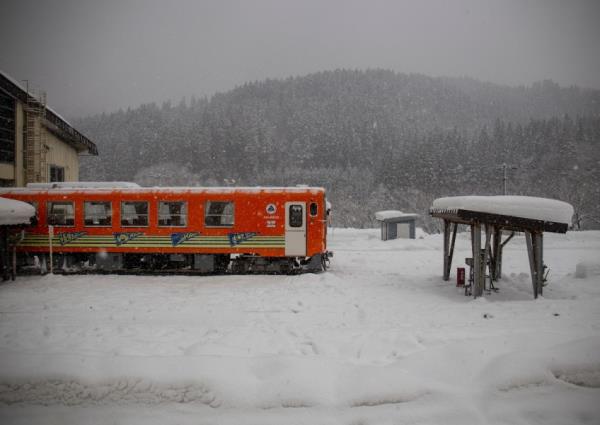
x=488 y=256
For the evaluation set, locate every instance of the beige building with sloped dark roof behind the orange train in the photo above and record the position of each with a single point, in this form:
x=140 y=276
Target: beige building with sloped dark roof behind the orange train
x=37 y=145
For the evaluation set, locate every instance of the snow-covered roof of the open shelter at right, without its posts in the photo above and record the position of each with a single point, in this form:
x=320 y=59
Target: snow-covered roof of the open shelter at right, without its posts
x=510 y=211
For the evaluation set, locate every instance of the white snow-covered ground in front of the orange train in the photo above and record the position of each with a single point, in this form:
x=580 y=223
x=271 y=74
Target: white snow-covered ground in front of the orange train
x=379 y=338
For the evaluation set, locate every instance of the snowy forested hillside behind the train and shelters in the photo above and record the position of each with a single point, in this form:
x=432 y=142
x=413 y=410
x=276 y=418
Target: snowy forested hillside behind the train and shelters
x=375 y=139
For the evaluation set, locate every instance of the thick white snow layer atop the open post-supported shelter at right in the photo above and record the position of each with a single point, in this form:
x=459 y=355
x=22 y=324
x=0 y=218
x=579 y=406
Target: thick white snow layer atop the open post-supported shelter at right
x=518 y=206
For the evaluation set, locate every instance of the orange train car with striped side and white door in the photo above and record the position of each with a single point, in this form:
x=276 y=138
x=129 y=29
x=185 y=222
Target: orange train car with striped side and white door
x=118 y=226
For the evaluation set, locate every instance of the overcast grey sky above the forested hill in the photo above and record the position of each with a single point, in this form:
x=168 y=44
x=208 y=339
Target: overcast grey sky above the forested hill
x=94 y=56
